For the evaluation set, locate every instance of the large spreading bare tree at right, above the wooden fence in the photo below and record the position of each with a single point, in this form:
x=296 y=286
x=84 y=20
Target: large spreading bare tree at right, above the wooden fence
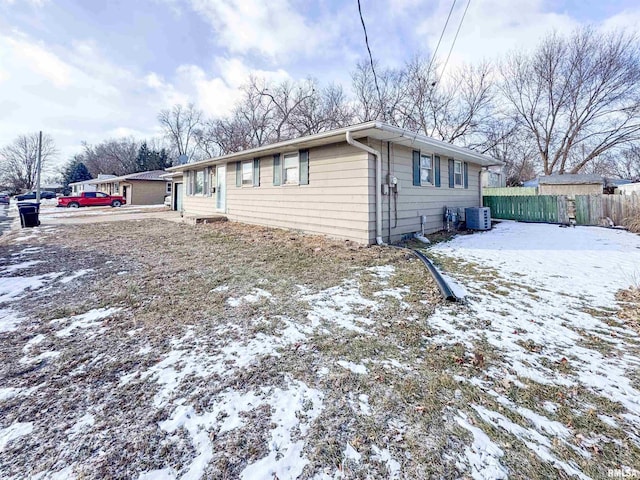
x=577 y=96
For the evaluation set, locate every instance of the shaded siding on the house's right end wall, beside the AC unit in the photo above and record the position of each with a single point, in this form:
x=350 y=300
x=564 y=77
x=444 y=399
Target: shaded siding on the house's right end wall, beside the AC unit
x=414 y=201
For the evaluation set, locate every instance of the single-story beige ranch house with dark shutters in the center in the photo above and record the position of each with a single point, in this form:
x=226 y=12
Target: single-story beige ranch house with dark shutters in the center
x=370 y=183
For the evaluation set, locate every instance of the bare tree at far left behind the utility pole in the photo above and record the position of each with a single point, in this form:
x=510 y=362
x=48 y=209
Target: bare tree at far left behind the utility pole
x=18 y=160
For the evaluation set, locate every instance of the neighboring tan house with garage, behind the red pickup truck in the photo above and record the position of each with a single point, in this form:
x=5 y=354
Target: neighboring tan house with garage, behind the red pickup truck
x=143 y=188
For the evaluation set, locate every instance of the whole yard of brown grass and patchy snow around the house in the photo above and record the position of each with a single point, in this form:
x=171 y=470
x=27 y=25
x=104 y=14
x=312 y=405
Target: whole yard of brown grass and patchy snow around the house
x=222 y=351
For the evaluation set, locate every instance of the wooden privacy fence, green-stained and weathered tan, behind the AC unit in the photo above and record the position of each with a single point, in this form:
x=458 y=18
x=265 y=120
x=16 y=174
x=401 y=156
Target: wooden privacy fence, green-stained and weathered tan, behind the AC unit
x=584 y=209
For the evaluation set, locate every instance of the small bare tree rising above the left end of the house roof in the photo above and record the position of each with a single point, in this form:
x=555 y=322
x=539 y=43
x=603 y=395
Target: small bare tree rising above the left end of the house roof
x=180 y=125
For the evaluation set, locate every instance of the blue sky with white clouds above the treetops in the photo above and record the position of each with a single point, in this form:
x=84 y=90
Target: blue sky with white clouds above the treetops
x=94 y=69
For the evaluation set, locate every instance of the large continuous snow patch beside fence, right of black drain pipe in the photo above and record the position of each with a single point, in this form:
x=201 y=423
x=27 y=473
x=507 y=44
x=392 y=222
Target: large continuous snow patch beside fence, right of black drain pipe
x=547 y=276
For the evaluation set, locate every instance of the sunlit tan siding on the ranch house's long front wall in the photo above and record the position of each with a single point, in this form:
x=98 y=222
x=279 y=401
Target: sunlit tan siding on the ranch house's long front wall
x=334 y=203
